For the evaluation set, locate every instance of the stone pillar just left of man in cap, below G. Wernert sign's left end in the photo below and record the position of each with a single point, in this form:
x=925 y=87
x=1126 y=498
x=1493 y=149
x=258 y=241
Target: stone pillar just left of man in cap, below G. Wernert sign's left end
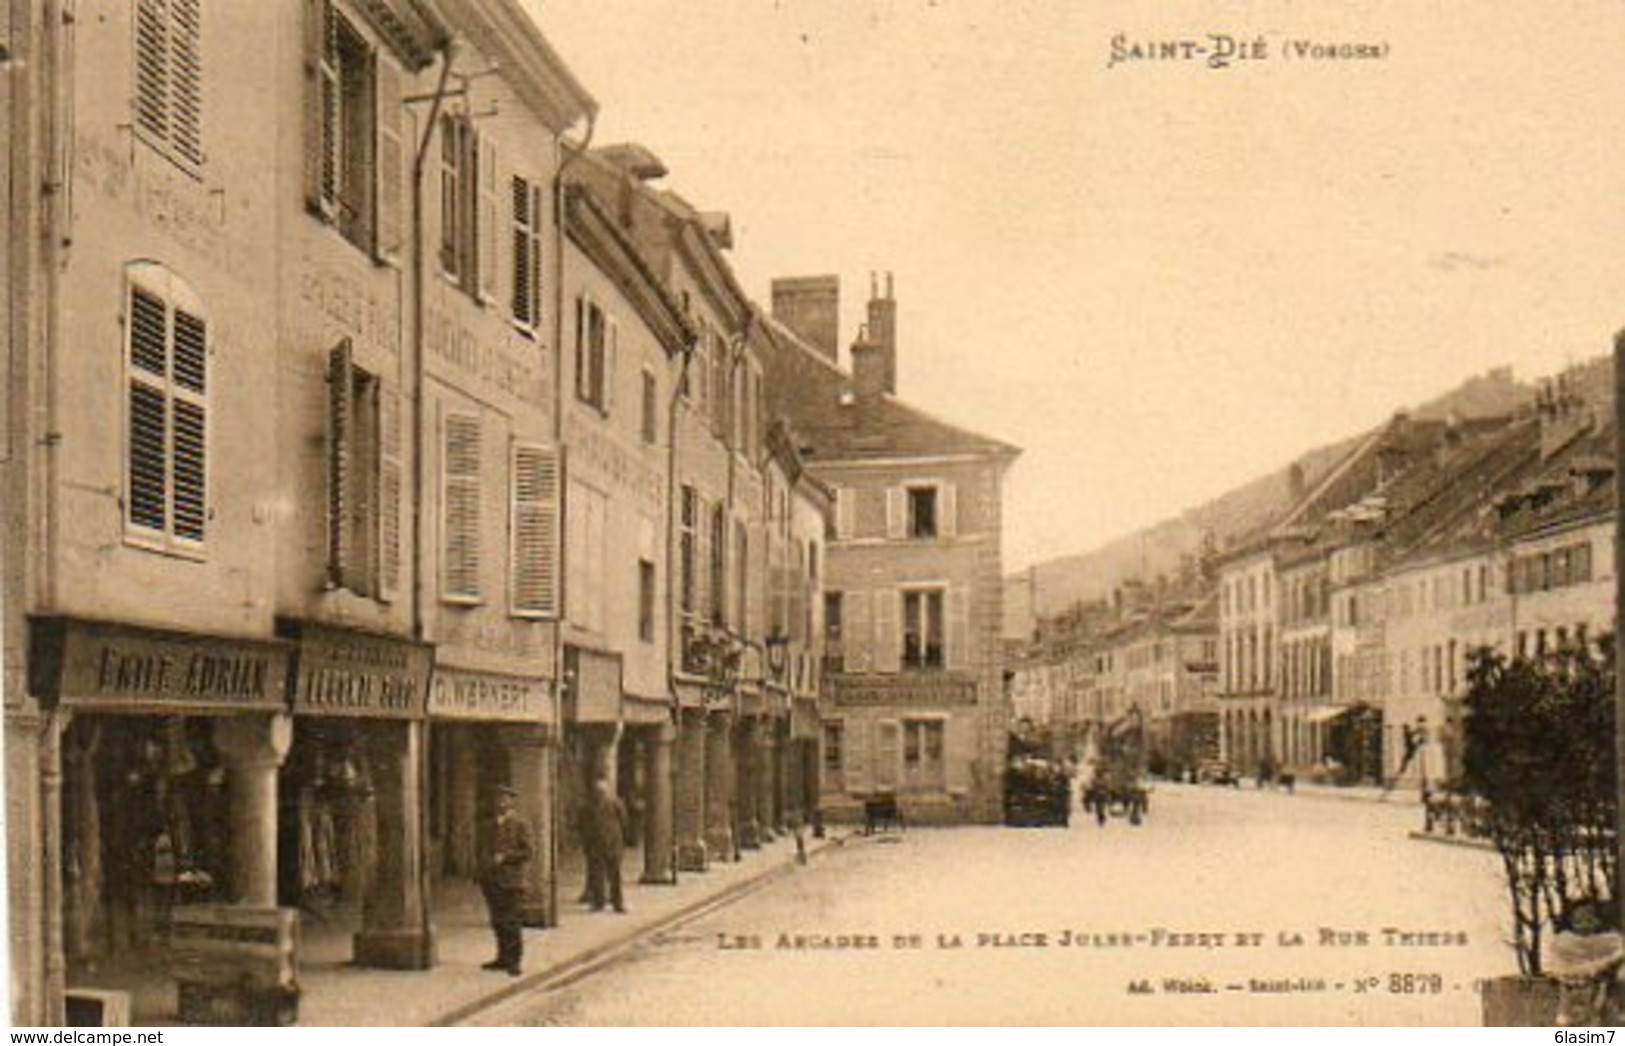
x=396 y=933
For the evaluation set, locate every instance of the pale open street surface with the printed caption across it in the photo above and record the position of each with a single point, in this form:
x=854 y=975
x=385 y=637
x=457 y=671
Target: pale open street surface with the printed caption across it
x=1062 y=927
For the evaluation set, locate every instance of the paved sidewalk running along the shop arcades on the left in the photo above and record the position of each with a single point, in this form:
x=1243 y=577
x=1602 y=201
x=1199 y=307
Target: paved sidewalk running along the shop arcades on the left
x=336 y=993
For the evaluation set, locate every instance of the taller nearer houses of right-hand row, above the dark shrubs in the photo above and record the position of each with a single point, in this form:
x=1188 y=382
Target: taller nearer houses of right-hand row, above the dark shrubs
x=1346 y=629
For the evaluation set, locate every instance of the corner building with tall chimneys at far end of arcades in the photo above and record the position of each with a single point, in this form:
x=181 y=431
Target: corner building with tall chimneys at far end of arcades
x=916 y=706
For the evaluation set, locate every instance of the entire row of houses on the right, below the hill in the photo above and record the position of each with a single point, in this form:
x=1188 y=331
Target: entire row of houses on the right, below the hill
x=1333 y=642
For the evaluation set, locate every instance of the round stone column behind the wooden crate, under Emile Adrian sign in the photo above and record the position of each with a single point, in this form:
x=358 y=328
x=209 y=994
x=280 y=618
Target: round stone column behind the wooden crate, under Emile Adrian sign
x=254 y=750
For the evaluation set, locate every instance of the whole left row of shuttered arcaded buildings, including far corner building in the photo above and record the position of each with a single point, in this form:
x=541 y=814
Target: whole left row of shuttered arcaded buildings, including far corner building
x=376 y=441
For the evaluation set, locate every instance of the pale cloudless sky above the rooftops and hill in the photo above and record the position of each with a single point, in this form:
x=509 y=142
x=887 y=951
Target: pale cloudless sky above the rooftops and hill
x=1158 y=279
